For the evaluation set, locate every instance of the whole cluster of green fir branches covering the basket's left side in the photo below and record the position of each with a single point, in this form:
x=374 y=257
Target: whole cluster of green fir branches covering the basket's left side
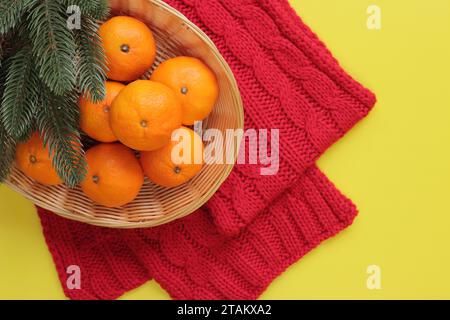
x=44 y=66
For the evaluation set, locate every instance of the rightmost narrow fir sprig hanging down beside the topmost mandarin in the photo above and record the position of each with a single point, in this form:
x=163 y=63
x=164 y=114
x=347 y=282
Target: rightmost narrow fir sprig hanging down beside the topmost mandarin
x=92 y=61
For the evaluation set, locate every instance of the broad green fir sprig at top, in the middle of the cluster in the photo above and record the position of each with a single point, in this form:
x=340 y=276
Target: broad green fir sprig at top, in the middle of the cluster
x=53 y=46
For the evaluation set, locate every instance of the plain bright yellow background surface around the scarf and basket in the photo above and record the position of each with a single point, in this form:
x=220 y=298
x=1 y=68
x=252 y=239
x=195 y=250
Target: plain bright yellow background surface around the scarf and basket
x=395 y=166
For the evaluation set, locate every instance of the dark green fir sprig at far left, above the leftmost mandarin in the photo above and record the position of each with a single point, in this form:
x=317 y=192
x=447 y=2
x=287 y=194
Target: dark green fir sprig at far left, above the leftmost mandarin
x=20 y=95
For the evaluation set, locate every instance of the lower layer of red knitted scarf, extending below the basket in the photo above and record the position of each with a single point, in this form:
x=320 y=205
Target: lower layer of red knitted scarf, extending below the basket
x=190 y=258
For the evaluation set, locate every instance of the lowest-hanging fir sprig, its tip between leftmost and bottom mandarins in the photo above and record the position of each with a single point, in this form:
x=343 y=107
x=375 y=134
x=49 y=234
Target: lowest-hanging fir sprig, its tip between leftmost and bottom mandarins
x=57 y=122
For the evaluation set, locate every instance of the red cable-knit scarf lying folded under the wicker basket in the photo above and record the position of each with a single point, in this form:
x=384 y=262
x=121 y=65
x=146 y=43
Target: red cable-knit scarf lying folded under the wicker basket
x=255 y=226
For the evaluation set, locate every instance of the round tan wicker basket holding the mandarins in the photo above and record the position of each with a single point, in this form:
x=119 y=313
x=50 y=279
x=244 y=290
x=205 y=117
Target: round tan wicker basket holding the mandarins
x=175 y=36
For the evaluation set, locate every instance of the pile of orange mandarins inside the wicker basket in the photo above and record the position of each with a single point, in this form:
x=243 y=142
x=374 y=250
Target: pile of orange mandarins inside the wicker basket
x=133 y=125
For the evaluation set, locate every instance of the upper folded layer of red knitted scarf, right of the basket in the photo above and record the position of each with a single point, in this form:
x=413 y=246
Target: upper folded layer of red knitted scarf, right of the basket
x=291 y=83
